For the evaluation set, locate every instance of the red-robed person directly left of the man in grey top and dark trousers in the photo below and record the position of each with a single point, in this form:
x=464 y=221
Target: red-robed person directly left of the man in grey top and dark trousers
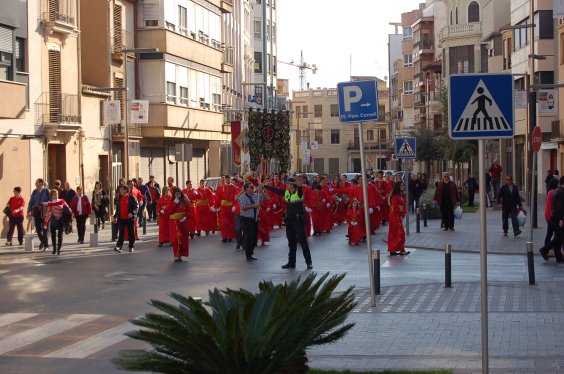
x=225 y=204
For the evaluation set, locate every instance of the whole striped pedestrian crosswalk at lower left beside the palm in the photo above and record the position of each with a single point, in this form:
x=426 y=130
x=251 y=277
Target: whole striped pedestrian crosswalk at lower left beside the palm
x=72 y=336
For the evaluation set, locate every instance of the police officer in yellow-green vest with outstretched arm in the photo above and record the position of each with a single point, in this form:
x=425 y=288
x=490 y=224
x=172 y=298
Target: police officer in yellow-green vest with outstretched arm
x=294 y=220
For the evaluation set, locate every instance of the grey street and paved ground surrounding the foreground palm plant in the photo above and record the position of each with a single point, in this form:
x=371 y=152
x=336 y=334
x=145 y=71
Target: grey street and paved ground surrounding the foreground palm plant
x=68 y=314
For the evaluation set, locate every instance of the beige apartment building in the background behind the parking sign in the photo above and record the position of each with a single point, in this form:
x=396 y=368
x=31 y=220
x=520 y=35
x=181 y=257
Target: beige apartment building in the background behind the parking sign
x=327 y=145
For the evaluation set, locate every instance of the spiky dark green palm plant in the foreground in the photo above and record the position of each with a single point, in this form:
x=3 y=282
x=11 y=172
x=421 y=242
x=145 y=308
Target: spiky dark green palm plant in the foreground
x=244 y=332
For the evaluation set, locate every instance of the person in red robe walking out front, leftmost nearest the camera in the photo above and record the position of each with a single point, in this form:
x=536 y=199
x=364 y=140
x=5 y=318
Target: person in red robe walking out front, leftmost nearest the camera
x=178 y=210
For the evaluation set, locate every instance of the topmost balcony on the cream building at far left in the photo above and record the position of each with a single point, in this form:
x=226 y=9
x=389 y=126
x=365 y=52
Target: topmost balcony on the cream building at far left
x=59 y=16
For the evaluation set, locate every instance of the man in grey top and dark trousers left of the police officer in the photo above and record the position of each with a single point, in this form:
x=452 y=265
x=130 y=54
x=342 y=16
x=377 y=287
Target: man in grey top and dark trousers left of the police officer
x=249 y=203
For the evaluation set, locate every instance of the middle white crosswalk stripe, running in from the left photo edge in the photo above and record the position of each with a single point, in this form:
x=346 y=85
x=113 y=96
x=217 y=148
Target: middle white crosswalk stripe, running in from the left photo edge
x=44 y=331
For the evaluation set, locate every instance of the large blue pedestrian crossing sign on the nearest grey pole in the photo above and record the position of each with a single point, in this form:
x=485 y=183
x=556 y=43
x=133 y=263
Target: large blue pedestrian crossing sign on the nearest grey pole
x=481 y=106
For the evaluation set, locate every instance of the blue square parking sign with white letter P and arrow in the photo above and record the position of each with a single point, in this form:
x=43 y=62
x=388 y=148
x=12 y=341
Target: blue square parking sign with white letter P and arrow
x=358 y=101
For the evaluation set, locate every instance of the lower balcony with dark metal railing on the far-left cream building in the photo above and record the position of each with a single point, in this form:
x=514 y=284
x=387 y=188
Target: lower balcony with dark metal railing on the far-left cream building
x=57 y=108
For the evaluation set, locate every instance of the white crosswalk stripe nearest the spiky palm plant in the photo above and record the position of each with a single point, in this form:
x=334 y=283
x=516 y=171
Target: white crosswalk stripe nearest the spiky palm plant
x=93 y=344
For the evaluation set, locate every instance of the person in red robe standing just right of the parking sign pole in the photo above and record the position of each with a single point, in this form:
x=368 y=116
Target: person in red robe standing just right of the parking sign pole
x=396 y=232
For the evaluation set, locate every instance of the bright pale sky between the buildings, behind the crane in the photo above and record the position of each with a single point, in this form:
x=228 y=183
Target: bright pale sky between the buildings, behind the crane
x=333 y=33
